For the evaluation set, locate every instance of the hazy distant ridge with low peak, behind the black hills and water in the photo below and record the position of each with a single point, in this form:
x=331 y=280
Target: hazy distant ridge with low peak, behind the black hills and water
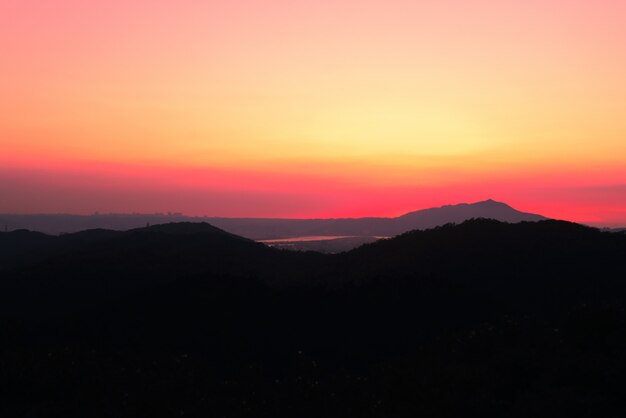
x=268 y=228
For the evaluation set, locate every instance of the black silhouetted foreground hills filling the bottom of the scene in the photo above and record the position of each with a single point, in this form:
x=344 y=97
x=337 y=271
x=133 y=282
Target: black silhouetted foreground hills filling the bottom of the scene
x=482 y=318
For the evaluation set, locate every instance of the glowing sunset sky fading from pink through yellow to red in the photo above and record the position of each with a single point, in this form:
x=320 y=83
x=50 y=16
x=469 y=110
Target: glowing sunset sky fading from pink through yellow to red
x=288 y=108
